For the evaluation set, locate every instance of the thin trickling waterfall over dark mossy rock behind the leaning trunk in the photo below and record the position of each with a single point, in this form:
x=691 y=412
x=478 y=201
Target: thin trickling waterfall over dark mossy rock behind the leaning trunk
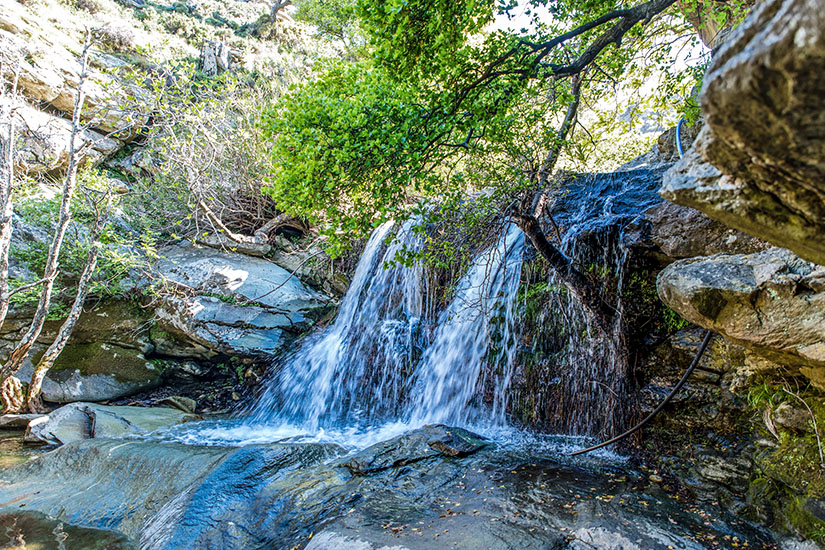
x=574 y=379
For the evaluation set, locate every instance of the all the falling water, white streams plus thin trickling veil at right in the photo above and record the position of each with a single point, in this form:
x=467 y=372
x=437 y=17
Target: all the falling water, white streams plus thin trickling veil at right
x=384 y=367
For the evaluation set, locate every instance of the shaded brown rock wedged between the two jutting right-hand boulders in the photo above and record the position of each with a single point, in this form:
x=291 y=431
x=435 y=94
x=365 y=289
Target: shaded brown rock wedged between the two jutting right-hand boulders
x=682 y=232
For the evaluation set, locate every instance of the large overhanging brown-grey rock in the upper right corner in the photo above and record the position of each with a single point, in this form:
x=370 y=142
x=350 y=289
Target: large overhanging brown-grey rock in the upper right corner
x=758 y=164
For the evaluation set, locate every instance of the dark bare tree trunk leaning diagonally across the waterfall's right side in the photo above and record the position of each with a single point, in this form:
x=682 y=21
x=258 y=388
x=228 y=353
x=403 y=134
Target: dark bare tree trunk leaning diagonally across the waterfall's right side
x=588 y=294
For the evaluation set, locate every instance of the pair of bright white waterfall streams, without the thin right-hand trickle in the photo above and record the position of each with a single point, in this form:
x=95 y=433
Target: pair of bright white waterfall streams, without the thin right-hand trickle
x=373 y=365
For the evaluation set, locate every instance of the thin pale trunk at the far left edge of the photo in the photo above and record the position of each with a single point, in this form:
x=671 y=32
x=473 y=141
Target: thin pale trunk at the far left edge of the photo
x=6 y=205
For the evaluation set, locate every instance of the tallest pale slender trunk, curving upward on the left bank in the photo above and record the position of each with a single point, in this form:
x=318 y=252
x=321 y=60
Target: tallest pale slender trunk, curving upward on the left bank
x=23 y=349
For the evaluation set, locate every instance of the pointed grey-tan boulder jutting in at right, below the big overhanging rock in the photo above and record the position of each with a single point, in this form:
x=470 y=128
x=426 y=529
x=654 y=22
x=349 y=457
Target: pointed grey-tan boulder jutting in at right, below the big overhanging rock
x=771 y=302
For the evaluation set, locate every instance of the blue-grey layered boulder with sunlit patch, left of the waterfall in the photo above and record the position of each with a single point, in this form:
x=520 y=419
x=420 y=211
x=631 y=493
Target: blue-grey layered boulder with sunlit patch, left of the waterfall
x=253 y=307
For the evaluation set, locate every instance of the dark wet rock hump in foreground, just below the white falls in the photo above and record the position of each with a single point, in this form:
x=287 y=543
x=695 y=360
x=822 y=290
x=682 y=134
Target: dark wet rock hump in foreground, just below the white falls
x=423 y=443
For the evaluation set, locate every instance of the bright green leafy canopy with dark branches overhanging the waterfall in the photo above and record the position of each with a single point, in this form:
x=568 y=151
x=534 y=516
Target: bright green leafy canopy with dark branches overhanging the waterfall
x=442 y=105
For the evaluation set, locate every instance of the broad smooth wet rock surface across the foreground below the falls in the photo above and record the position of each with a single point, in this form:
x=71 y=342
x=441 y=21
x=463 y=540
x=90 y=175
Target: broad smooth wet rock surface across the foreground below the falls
x=167 y=495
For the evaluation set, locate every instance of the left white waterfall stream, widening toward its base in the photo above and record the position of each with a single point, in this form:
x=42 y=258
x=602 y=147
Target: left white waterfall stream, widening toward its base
x=352 y=372
